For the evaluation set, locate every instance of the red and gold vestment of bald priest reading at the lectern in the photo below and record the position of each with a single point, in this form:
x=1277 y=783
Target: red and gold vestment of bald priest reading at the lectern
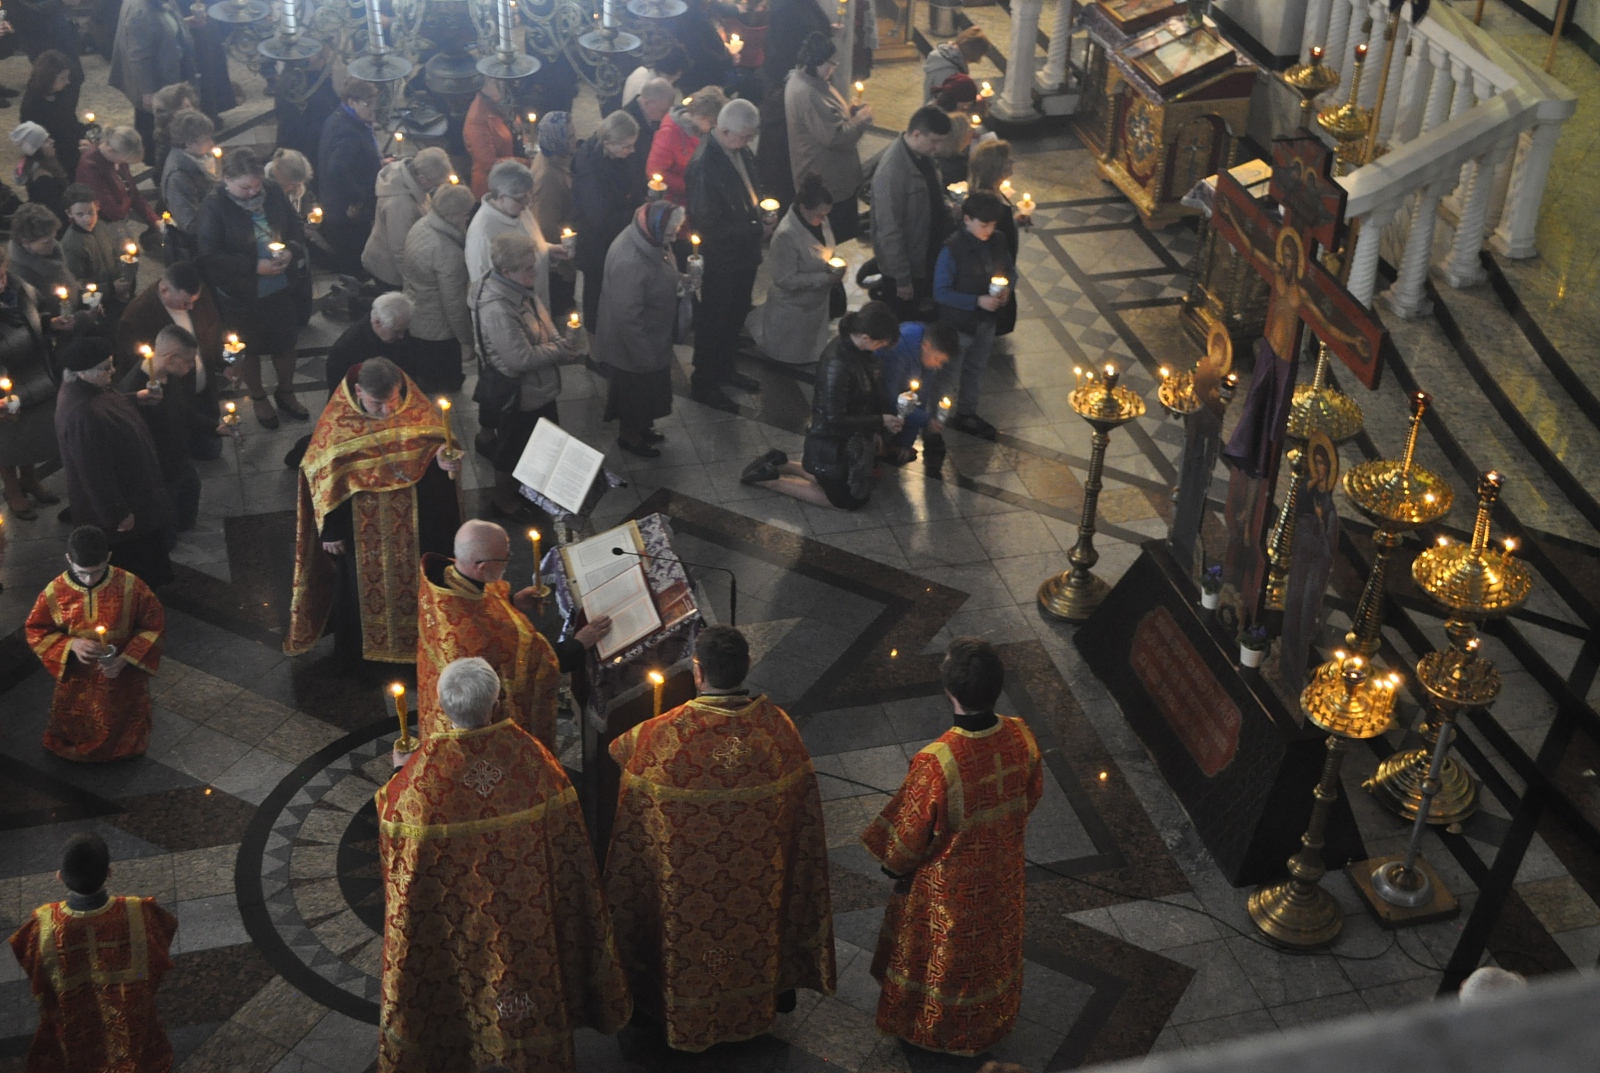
x=457 y=618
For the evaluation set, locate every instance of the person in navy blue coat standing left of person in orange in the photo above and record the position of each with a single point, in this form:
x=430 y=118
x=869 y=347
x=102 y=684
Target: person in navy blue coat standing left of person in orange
x=350 y=161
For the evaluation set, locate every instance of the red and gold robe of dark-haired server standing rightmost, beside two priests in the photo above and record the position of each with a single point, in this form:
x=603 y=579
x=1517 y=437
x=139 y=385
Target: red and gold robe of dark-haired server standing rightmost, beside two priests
x=951 y=951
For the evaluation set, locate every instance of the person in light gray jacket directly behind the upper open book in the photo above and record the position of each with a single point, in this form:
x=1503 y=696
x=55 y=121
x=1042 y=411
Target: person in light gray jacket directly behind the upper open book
x=521 y=354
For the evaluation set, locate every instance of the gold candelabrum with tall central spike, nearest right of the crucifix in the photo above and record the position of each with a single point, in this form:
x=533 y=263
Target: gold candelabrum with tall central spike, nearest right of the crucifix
x=1398 y=495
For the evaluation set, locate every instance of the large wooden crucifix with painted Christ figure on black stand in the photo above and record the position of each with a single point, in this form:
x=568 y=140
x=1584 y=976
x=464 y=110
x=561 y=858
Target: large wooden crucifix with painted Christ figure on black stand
x=1303 y=293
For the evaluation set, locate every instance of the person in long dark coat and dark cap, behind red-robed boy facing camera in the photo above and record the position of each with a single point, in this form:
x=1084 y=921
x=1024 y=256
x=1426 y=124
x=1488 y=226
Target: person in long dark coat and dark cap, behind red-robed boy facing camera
x=108 y=458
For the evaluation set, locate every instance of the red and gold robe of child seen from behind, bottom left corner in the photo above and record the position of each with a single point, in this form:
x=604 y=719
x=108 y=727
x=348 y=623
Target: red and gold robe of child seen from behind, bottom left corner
x=95 y=976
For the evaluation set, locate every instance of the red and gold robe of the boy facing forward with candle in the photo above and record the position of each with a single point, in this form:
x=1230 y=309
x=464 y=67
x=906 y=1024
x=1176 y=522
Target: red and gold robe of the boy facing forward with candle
x=94 y=717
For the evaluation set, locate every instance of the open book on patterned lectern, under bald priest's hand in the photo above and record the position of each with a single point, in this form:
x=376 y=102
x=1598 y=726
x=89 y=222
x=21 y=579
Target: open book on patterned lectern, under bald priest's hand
x=615 y=586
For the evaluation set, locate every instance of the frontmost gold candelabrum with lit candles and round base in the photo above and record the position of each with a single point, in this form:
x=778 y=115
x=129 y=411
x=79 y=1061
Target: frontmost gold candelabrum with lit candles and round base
x=1353 y=704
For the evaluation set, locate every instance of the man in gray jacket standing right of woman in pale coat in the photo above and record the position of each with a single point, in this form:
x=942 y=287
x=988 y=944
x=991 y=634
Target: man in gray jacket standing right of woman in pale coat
x=910 y=217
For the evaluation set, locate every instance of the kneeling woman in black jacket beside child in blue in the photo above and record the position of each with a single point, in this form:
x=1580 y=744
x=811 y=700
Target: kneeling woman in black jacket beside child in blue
x=846 y=418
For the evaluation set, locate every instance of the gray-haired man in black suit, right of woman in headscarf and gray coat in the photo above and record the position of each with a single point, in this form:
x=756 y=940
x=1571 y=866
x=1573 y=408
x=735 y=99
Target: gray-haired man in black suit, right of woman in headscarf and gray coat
x=726 y=207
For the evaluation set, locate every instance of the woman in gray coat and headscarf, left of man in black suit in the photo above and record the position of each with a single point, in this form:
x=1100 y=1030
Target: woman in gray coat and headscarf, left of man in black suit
x=638 y=317
